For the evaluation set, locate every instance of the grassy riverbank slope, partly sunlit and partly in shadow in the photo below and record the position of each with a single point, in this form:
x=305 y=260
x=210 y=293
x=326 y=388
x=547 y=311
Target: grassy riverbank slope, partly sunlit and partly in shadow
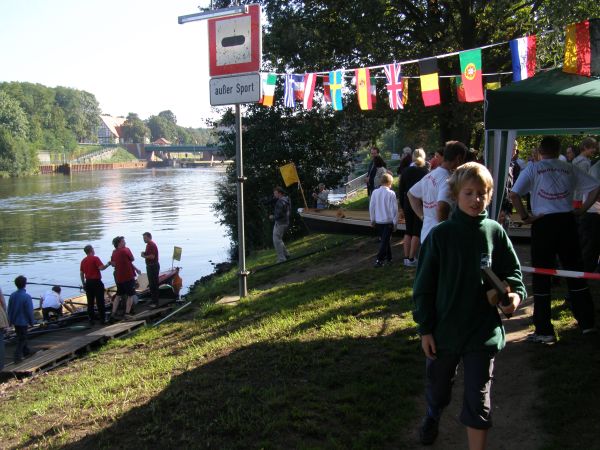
x=323 y=353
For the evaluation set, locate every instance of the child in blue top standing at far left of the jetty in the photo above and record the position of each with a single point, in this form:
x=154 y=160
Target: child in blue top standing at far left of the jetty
x=20 y=315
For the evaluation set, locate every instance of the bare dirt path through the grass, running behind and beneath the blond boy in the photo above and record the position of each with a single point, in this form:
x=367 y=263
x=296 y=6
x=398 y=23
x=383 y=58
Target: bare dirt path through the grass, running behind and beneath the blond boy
x=515 y=385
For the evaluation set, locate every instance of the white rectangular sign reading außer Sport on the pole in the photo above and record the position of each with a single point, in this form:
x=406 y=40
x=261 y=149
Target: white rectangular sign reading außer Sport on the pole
x=231 y=90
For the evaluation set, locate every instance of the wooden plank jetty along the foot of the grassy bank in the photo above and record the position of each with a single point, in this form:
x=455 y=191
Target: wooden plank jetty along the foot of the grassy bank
x=65 y=351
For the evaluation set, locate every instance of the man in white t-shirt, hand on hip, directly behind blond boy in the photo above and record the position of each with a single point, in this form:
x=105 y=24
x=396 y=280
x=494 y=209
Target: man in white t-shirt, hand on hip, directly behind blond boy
x=425 y=195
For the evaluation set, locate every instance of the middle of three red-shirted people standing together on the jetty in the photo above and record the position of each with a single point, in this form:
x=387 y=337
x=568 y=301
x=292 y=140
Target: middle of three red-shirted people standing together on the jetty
x=122 y=260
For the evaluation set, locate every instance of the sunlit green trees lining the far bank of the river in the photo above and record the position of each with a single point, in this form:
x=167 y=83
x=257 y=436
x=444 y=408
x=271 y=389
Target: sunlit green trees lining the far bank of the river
x=35 y=117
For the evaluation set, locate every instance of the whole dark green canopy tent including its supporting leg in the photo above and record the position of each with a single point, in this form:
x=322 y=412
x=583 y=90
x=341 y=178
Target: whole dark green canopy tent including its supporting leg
x=551 y=102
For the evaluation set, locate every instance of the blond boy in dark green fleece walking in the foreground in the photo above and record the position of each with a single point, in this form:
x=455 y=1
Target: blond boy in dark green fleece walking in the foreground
x=454 y=318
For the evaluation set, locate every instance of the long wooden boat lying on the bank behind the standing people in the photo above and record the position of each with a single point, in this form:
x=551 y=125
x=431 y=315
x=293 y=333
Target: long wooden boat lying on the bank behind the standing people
x=342 y=221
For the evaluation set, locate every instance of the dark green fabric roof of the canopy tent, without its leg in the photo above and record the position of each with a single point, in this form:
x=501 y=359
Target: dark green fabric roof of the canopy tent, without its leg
x=551 y=102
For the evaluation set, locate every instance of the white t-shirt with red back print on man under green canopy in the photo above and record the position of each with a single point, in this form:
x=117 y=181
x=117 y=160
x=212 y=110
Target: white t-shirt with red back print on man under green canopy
x=552 y=183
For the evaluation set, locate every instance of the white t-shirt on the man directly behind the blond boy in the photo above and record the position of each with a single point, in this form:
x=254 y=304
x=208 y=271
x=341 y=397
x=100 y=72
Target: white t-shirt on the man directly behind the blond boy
x=429 y=190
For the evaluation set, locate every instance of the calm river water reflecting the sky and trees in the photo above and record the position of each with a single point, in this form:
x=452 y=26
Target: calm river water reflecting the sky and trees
x=45 y=221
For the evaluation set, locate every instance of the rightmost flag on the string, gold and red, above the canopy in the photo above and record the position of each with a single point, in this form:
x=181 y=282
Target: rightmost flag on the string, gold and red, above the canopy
x=582 y=48
